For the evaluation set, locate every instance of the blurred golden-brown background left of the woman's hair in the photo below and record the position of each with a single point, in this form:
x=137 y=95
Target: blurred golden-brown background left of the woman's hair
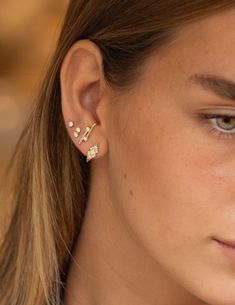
x=28 y=33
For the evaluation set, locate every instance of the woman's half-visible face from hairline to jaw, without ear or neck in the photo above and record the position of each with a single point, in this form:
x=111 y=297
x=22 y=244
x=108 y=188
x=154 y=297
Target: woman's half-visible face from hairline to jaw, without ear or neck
x=177 y=183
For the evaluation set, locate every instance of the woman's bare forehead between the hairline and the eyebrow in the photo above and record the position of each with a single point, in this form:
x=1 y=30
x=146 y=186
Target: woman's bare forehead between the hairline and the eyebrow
x=207 y=45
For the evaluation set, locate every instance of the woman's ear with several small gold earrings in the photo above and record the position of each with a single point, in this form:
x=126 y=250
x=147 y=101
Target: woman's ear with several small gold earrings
x=83 y=96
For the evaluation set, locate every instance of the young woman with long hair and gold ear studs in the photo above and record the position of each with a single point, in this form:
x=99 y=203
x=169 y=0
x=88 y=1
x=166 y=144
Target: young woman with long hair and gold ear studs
x=124 y=189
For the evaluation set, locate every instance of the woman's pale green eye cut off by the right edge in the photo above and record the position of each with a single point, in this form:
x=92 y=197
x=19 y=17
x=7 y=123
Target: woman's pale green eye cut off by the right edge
x=221 y=124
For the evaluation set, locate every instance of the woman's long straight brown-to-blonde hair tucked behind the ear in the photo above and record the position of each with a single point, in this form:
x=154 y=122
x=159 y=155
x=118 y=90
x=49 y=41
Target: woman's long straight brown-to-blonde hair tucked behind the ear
x=47 y=179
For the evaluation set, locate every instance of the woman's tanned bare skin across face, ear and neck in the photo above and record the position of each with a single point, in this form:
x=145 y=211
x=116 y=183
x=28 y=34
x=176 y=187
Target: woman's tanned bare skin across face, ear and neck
x=162 y=185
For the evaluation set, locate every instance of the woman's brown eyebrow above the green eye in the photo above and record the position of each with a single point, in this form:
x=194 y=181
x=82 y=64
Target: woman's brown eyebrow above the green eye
x=217 y=84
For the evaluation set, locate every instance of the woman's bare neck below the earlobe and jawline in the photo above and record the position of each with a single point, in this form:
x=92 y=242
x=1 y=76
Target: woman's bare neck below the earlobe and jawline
x=110 y=264
